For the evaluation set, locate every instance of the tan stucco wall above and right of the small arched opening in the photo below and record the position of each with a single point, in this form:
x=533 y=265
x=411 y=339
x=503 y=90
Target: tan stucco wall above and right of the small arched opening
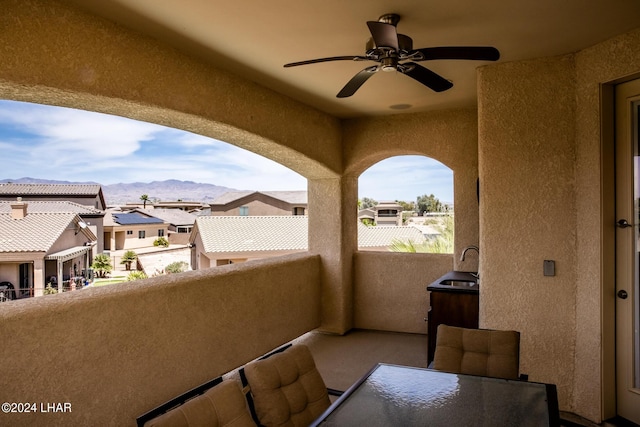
x=451 y=137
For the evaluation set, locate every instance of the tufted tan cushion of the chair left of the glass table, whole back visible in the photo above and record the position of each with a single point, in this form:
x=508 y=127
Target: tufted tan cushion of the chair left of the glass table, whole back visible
x=287 y=388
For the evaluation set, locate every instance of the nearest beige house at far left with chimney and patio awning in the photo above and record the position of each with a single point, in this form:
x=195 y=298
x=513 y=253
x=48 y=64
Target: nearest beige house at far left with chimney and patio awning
x=42 y=247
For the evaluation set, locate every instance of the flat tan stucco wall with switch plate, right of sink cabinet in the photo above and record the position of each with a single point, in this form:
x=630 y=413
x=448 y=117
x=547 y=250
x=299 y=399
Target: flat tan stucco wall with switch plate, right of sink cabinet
x=528 y=212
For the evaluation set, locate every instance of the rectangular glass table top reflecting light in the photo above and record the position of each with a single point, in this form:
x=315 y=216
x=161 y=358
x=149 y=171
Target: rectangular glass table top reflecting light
x=405 y=396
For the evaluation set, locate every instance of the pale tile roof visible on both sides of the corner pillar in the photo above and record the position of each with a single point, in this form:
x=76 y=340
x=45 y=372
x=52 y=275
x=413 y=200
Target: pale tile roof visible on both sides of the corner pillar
x=271 y=233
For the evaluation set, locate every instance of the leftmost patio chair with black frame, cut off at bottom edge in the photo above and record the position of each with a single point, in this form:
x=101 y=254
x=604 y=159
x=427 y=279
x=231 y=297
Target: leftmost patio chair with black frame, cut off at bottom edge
x=216 y=403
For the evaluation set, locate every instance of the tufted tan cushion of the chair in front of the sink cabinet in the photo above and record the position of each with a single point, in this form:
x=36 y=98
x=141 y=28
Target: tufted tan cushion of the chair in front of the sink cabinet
x=477 y=352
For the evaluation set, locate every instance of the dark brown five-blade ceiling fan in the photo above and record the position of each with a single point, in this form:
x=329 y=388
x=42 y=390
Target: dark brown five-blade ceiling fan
x=394 y=52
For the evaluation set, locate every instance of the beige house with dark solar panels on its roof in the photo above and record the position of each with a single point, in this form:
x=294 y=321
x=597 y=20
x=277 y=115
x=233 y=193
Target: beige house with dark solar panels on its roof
x=132 y=230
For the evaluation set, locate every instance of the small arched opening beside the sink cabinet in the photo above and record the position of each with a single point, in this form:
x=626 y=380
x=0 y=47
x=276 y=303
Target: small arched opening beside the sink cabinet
x=405 y=204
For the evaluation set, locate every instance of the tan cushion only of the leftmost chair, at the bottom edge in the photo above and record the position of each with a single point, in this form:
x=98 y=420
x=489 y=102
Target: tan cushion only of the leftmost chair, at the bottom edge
x=222 y=405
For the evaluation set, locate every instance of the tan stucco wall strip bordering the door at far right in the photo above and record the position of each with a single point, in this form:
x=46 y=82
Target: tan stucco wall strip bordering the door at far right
x=614 y=60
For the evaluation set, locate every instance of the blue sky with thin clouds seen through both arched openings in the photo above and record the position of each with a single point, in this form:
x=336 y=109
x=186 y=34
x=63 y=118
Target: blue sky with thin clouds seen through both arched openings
x=46 y=142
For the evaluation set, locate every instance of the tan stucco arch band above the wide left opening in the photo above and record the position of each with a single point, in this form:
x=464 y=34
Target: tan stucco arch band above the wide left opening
x=52 y=53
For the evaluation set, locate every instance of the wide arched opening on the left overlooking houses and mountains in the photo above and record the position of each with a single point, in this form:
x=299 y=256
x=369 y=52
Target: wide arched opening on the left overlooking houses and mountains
x=122 y=192
